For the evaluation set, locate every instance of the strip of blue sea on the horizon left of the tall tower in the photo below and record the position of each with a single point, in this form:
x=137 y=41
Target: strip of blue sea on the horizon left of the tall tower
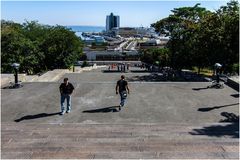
x=86 y=28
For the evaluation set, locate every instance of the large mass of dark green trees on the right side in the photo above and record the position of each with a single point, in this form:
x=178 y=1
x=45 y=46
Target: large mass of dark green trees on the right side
x=201 y=38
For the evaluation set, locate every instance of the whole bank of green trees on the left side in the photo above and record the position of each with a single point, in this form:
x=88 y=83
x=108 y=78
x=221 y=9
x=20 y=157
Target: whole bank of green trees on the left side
x=38 y=47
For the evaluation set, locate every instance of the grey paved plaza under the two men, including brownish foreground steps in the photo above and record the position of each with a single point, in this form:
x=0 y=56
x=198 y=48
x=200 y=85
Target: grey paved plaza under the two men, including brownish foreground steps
x=160 y=119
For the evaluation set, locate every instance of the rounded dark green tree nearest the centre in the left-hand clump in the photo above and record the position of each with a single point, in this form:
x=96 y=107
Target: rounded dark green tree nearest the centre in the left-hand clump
x=62 y=48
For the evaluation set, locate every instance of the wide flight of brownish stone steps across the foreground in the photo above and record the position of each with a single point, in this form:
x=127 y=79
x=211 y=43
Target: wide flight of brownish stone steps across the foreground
x=106 y=141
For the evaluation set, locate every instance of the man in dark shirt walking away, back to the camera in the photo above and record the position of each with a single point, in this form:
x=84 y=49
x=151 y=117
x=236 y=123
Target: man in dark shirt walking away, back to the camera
x=122 y=88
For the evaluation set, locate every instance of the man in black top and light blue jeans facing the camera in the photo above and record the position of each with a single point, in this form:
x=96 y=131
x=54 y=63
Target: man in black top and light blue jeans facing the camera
x=66 y=90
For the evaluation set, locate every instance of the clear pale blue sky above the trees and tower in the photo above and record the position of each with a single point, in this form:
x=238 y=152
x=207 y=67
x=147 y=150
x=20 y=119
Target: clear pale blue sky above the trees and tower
x=93 y=13
